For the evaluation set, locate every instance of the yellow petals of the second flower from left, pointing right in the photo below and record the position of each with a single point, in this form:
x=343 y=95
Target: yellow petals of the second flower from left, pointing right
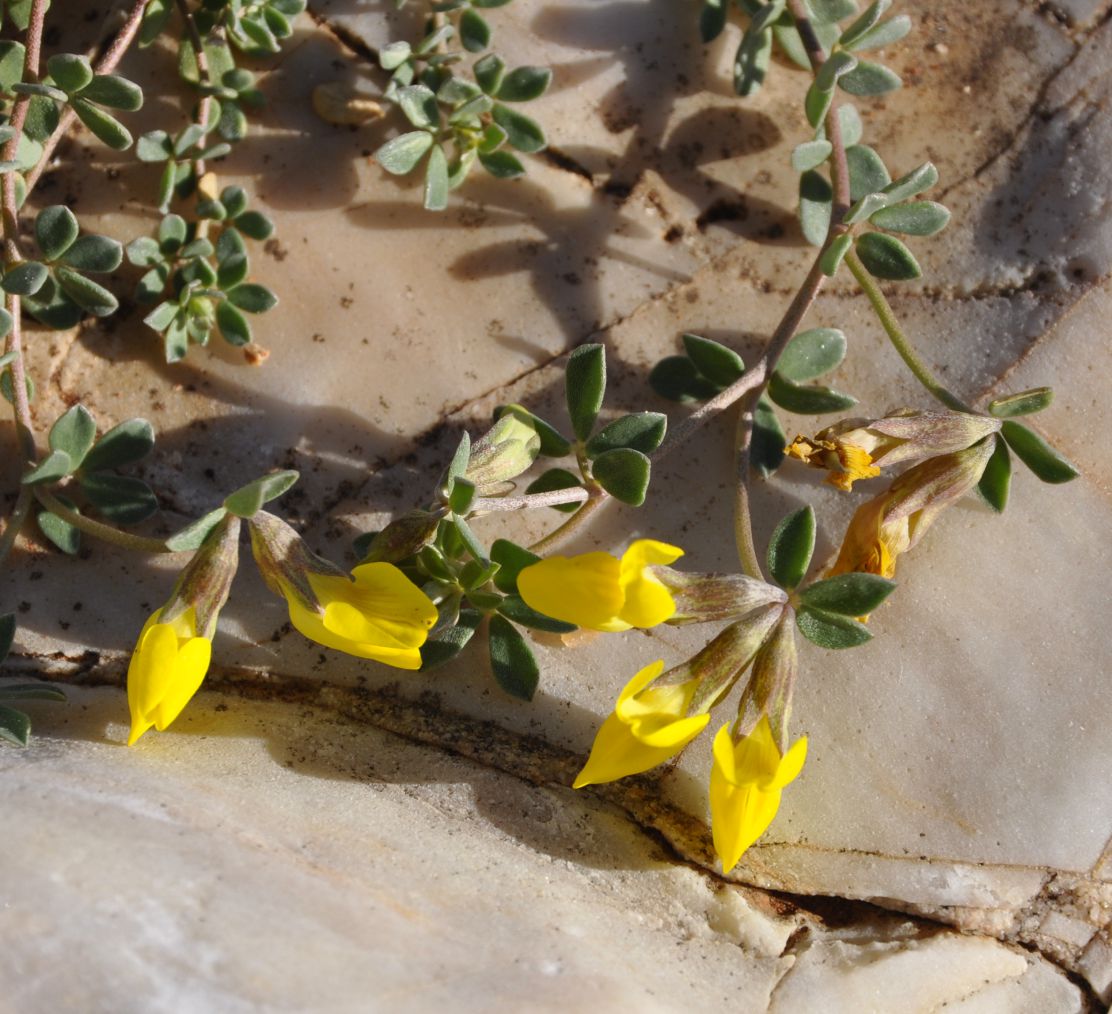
x=378 y=613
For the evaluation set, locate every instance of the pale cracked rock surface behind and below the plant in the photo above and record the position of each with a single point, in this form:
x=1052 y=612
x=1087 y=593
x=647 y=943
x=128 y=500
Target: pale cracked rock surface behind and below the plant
x=959 y=764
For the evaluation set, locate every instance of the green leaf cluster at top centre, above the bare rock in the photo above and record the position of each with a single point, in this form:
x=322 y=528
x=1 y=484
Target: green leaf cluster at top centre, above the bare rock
x=459 y=118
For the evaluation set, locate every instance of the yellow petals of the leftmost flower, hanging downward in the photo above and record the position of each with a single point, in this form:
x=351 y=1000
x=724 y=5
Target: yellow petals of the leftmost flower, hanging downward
x=167 y=668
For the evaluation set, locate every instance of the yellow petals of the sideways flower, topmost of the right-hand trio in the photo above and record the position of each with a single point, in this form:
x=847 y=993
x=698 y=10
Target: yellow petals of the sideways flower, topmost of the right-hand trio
x=600 y=592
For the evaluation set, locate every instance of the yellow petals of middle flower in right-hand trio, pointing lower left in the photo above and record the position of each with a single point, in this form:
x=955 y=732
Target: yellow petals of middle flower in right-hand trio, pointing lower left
x=649 y=727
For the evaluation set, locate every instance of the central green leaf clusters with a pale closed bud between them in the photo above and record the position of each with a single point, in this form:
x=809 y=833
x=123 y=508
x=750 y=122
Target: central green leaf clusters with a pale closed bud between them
x=439 y=550
